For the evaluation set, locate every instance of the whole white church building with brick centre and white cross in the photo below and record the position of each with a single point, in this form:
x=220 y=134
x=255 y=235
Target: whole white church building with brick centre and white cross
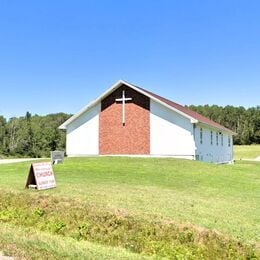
x=129 y=120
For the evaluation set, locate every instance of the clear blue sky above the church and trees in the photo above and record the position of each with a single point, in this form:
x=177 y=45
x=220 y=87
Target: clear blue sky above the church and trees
x=59 y=55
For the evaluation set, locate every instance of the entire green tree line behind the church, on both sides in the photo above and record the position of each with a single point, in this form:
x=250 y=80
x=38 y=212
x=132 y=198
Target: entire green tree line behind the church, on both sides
x=36 y=136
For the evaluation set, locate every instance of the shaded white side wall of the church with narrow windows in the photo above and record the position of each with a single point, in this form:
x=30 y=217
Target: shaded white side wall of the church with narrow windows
x=212 y=152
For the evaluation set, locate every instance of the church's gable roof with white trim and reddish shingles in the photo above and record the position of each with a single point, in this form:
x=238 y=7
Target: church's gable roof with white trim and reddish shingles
x=184 y=111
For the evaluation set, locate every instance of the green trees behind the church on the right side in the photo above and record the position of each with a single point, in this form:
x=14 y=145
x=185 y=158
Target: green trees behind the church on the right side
x=245 y=122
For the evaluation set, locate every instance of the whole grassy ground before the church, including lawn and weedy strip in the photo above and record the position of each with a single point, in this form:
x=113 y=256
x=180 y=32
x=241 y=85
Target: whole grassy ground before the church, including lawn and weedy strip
x=131 y=208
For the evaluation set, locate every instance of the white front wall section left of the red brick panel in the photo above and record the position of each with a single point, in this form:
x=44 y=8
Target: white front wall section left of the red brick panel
x=83 y=134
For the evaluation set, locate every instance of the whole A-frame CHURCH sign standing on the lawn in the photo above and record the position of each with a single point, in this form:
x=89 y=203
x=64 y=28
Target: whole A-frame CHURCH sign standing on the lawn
x=41 y=176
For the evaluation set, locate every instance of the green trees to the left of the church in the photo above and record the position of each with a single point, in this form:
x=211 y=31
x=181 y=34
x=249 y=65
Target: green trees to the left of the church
x=32 y=136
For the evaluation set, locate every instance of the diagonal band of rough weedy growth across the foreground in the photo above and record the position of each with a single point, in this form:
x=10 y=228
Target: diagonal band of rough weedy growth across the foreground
x=152 y=238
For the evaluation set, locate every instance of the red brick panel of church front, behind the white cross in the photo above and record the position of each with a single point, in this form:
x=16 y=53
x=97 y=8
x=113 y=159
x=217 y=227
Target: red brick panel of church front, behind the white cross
x=134 y=136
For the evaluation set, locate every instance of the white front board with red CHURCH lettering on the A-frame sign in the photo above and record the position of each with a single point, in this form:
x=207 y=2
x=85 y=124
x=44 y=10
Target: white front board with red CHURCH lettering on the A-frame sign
x=44 y=175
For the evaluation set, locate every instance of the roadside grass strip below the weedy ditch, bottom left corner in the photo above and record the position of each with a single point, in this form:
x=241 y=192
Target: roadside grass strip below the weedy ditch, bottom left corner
x=29 y=243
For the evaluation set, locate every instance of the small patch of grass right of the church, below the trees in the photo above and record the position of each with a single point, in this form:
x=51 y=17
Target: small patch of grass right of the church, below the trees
x=246 y=151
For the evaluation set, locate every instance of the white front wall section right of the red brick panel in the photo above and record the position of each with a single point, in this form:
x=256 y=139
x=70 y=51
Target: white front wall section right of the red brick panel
x=171 y=134
